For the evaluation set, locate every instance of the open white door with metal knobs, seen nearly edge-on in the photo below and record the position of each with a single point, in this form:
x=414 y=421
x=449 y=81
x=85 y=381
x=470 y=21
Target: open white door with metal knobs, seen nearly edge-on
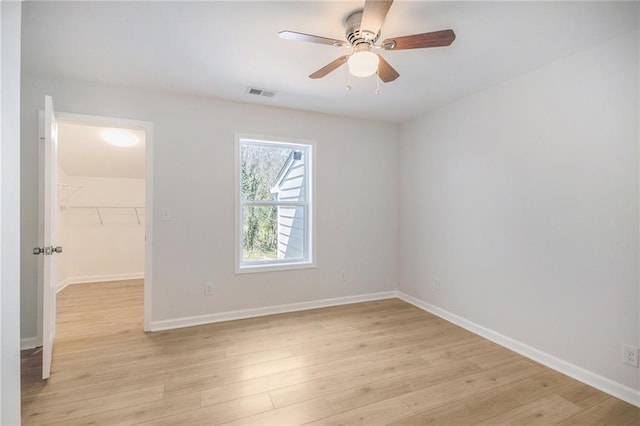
x=50 y=203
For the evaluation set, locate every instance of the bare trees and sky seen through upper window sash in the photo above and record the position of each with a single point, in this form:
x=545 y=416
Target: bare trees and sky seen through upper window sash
x=261 y=168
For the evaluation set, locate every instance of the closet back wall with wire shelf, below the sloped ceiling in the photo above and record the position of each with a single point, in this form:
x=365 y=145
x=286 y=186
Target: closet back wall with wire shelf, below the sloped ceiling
x=102 y=251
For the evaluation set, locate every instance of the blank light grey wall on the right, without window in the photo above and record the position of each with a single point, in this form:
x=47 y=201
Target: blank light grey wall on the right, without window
x=522 y=200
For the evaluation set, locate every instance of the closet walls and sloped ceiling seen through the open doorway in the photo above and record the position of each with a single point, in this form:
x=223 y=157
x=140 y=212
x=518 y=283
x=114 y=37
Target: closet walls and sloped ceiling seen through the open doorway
x=101 y=196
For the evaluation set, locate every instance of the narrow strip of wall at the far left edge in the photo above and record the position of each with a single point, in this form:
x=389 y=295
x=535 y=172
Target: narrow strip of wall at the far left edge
x=10 y=251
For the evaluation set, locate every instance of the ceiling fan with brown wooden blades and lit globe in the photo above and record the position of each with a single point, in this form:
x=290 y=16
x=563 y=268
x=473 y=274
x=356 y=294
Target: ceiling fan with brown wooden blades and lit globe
x=362 y=32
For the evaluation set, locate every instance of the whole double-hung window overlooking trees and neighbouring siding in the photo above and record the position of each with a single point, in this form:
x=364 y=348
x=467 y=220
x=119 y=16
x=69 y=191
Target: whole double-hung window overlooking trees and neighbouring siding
x=273 y=204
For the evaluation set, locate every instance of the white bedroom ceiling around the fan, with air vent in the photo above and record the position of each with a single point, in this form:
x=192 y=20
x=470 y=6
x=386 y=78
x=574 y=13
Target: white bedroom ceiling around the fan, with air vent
x=219 y=49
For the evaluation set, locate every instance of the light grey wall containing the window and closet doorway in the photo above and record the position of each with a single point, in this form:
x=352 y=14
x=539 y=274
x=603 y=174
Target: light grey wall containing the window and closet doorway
x=193 y=147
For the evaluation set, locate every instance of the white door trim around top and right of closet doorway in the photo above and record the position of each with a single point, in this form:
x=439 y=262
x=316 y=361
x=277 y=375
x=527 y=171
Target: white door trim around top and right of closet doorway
x=147 y=126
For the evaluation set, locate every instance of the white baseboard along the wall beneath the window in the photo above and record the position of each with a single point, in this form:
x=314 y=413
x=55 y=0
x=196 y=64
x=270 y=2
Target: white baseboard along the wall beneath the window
x=271 y=310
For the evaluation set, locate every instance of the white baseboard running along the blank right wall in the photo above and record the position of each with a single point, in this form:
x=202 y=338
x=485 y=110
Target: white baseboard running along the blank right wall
x=615 y=389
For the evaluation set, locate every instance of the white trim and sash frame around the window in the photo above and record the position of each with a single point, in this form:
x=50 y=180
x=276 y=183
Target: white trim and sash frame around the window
x=271 y=265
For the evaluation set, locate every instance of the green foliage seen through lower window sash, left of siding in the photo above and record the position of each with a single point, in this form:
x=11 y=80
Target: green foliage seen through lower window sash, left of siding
x=259 y=233
